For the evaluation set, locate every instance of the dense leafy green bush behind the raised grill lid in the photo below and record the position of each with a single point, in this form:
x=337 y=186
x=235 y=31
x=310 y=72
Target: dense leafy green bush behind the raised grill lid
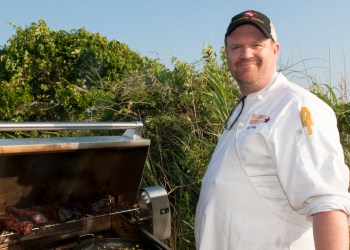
x=48 y=71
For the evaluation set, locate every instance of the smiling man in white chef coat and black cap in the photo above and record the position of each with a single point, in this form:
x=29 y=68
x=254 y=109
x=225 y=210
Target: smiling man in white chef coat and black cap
x=277 y=178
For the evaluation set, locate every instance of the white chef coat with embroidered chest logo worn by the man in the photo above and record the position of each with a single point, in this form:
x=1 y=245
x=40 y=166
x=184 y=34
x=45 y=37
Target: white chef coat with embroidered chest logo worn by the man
x=268 y=176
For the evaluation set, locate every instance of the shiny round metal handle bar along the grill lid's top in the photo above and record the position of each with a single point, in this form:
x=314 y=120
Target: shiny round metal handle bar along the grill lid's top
x=52 y=126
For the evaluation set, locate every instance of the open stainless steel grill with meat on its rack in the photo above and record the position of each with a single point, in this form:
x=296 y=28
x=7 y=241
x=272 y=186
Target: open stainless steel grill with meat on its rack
x=81 y=189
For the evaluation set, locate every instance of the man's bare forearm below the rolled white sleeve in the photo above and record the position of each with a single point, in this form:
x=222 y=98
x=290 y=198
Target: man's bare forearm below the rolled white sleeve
x=331 y=230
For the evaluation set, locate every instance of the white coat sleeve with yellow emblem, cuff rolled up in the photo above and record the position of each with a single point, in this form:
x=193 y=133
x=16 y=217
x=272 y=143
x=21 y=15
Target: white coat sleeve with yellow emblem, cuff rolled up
x=310 y=166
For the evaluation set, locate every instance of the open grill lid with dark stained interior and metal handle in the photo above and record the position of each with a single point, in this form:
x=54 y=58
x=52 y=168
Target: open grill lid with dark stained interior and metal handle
x=34 y=170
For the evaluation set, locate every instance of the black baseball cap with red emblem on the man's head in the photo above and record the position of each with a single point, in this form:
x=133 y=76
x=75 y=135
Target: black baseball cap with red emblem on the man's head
x=255 y=18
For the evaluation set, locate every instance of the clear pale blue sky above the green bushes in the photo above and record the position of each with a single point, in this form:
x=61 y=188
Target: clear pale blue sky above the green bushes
x=313 y=34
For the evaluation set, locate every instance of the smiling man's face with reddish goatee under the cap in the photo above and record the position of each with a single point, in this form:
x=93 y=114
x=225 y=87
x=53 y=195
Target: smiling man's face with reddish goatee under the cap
x=251 y=58
